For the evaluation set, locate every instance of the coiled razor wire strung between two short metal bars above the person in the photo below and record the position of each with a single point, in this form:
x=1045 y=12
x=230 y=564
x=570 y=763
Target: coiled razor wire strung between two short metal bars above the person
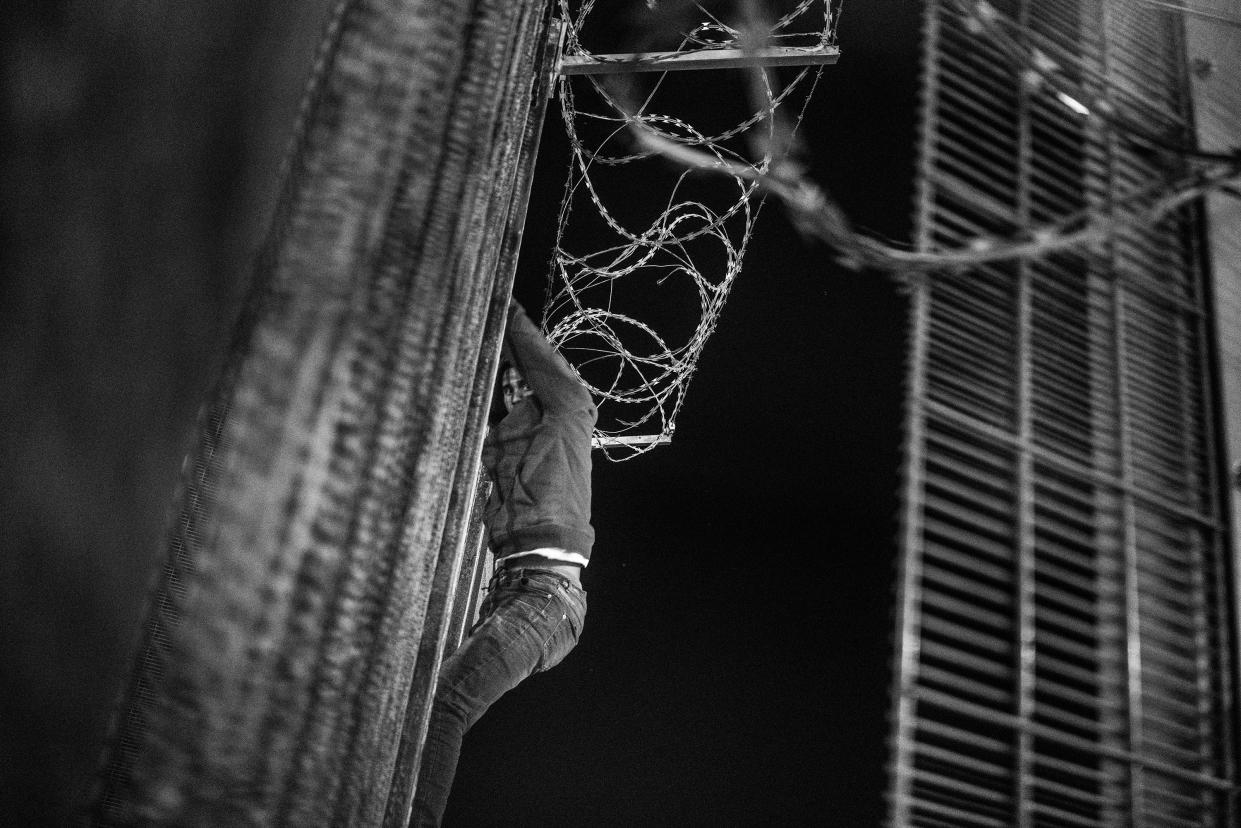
x=634 y=313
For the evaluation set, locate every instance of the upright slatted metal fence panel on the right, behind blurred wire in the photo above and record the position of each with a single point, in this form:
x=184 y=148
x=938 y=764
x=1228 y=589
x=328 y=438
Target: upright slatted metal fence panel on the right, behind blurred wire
x=1067 y=630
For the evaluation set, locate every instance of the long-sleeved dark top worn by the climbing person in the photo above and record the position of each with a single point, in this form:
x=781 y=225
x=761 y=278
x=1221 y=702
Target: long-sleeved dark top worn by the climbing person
x=539 y=456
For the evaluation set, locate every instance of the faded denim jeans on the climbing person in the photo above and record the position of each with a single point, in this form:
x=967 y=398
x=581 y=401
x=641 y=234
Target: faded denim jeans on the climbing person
x=529 y=621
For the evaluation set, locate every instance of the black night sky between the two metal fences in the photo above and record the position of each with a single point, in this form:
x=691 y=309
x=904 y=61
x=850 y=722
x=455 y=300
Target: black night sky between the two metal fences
x=737 y=656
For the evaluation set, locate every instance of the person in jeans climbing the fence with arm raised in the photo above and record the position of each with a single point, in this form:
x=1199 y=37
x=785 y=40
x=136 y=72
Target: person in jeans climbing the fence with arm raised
x=539 y=529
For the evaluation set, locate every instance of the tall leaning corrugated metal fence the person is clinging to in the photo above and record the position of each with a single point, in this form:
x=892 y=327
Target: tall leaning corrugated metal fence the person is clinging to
x=325 y=517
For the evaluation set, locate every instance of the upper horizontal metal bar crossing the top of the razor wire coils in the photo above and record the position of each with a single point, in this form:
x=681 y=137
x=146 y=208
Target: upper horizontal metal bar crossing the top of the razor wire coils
x=710 y=59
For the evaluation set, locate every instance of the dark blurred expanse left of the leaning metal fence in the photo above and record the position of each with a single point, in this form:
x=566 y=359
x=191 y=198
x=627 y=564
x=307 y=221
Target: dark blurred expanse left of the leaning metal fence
x=138 y=162
